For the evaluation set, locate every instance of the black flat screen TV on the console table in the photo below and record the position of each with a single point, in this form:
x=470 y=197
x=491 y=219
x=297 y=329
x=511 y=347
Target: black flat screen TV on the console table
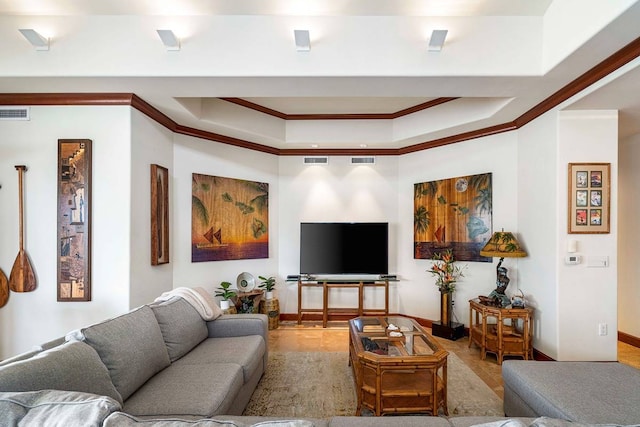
x=343 y=248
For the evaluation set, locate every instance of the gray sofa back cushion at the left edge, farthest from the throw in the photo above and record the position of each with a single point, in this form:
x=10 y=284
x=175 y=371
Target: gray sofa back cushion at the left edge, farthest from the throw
x=73 y=366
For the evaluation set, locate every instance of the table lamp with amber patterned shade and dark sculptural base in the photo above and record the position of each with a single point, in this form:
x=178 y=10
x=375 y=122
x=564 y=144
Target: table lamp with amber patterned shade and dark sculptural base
x=502 y=244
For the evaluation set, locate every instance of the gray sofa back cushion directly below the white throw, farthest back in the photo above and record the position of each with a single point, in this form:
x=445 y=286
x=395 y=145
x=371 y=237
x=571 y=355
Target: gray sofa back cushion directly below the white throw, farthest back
x=181 y=325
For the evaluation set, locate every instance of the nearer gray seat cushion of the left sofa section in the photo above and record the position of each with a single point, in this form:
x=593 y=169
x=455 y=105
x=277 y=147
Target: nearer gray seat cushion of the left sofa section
x=182 y=389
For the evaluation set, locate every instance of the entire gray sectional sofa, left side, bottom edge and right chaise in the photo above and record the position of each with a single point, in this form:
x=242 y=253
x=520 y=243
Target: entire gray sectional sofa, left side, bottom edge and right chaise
x=163 y=365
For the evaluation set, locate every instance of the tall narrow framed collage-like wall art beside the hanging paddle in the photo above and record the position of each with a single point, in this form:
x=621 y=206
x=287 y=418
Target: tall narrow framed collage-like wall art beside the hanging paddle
x=74 y=220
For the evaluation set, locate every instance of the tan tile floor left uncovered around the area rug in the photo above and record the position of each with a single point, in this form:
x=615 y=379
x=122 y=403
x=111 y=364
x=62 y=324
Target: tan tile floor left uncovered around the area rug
x=311 y=336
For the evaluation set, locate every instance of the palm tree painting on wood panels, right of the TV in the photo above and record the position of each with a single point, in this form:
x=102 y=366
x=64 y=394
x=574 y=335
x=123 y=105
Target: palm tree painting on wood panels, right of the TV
x=454 y=213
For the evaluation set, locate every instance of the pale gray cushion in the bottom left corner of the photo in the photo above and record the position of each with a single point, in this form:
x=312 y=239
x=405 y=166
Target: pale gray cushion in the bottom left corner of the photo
x=55 y=408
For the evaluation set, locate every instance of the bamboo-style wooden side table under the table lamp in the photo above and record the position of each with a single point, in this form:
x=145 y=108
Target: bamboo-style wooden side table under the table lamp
x=502 y=331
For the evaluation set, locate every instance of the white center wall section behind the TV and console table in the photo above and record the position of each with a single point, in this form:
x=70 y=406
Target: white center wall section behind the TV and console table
x=336 y=192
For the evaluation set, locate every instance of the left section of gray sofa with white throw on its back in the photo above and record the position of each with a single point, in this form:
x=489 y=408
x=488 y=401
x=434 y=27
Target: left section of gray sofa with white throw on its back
x=159 y=360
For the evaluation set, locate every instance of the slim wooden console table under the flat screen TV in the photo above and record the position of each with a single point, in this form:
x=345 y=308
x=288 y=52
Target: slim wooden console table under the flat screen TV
x=328 y=284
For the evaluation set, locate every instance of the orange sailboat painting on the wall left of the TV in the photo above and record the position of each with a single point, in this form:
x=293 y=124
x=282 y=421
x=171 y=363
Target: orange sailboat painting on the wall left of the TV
x=229 y=219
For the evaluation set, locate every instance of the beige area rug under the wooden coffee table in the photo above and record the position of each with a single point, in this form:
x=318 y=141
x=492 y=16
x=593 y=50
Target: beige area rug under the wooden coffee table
x=320 y=385
